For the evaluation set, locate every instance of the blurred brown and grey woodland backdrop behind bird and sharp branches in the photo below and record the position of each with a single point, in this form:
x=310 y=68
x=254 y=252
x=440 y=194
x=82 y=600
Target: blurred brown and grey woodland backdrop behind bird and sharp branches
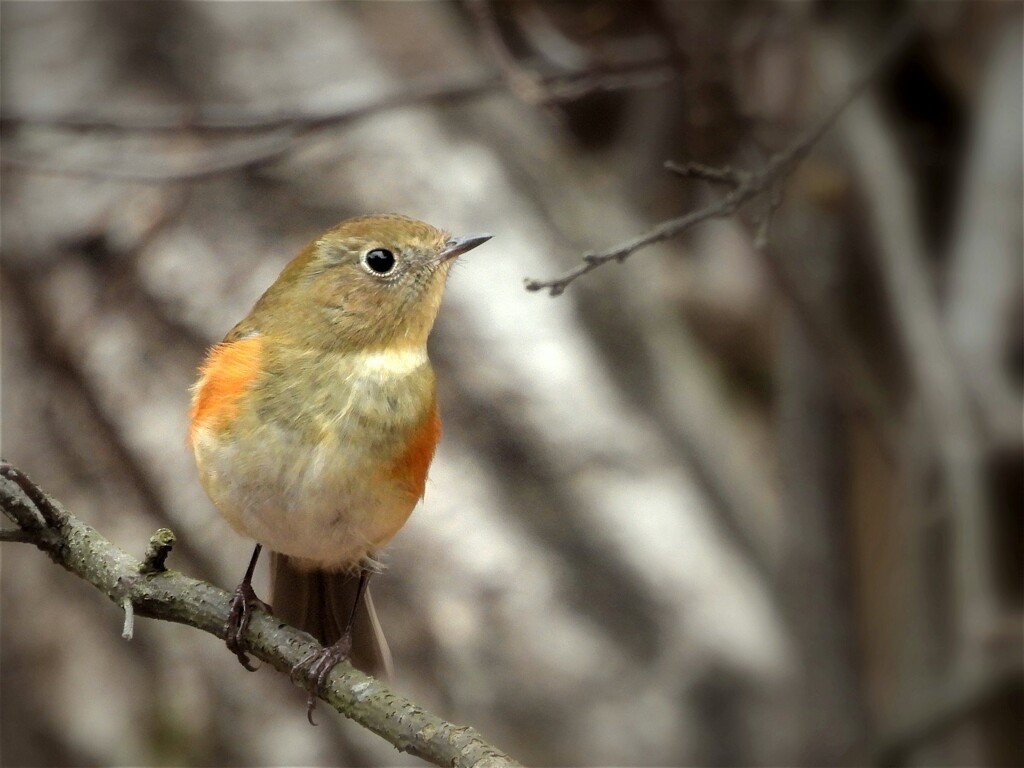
x=729 y=503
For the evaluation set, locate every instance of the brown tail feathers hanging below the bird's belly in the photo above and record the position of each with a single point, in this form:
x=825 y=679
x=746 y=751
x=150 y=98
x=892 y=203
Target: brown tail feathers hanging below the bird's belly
x=320 y=603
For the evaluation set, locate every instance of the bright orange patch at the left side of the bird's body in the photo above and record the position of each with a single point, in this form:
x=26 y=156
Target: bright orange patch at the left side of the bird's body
x=230 y=368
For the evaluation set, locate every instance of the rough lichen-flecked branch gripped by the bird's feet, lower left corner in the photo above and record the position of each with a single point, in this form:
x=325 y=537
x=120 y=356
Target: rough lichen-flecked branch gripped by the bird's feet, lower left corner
x=172 y=596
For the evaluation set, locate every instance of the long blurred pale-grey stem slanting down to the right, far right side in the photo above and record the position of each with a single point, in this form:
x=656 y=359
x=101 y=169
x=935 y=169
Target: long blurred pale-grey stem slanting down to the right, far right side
x=903 y=263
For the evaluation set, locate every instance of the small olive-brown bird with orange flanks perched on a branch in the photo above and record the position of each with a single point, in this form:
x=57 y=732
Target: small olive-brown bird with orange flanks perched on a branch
x=315 y=422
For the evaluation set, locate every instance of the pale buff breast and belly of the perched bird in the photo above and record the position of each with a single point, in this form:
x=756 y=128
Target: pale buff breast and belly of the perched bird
x=310 y=470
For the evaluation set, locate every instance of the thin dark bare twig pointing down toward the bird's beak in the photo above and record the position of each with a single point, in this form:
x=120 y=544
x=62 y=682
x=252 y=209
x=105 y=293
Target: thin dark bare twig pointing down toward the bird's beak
x=751 y=185
